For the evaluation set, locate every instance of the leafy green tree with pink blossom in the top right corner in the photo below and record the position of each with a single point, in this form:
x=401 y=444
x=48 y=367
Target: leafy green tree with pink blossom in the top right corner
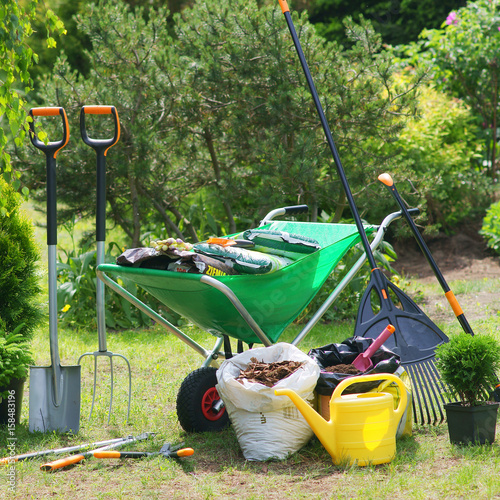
x=465 y=56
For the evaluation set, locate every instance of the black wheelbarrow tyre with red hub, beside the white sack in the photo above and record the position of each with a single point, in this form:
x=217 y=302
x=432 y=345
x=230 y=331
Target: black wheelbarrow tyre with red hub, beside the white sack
x=195 y=402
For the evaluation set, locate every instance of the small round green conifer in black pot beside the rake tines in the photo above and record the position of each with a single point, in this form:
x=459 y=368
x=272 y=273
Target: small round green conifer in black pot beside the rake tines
x=468 y=364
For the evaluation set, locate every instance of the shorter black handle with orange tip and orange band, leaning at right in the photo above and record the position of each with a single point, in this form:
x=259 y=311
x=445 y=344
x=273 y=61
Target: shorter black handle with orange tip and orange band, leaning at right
x=450 y=296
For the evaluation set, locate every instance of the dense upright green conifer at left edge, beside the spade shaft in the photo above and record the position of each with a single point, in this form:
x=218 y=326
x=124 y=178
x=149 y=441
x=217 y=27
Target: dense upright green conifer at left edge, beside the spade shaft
x=19 y=275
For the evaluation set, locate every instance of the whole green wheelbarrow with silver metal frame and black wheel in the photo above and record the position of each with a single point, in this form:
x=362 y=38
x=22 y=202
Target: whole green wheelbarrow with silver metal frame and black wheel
x=249 y=308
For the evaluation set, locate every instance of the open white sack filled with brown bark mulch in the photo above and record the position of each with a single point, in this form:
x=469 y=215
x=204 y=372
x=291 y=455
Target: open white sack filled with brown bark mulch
x=268 y=426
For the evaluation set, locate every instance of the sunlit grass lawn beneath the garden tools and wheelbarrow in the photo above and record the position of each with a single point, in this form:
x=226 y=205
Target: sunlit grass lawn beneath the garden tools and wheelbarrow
x=426 y=465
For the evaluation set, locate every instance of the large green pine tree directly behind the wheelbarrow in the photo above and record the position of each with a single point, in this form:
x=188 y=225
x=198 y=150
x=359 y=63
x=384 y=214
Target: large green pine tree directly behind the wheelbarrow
x=217 y=122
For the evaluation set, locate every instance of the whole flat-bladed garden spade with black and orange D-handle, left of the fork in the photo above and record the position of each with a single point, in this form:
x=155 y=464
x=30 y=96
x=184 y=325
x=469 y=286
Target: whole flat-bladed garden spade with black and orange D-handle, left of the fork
x=54 y=399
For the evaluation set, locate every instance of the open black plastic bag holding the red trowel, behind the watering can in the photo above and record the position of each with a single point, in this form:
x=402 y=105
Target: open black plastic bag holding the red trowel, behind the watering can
x=384 y=361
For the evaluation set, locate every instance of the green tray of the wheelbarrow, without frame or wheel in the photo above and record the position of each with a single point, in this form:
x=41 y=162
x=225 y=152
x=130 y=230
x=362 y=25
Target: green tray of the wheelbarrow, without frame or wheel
x=273 y=300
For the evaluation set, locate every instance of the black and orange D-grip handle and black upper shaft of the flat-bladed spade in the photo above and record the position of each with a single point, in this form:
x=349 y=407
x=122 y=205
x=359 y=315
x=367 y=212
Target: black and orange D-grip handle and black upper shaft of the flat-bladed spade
x=50 y=149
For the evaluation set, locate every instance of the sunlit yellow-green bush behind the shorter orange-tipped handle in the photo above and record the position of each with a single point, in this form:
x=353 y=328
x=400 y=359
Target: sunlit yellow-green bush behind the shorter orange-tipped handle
x=441 y=153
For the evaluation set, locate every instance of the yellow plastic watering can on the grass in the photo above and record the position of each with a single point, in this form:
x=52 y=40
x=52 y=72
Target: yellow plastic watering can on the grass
x=362 y=427
